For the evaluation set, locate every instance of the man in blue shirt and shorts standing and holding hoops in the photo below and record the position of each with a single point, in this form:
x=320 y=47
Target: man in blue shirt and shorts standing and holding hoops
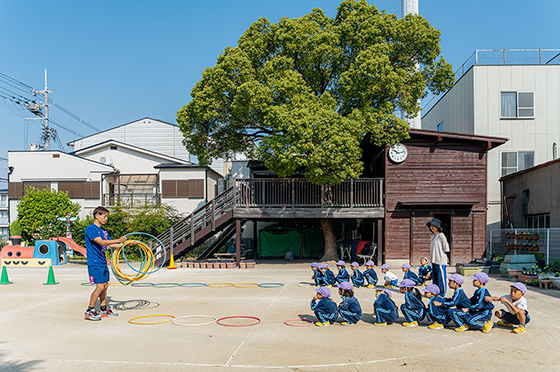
x=97 y=239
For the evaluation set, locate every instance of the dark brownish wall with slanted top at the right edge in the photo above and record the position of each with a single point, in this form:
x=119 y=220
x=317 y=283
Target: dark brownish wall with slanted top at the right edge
x=544 y=197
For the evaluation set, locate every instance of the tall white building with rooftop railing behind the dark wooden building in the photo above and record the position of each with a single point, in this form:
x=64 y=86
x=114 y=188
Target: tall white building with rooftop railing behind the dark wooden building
x=512 y=94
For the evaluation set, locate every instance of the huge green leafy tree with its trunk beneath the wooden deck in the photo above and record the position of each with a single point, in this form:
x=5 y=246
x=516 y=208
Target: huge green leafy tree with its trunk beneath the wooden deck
x=301 y=93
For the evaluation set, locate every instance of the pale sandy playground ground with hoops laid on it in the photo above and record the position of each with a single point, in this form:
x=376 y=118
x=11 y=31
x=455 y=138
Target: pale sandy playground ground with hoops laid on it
x=42 y=328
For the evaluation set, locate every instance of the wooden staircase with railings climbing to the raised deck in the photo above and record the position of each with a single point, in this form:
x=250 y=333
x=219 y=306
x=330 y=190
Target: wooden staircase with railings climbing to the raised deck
x=205 y=222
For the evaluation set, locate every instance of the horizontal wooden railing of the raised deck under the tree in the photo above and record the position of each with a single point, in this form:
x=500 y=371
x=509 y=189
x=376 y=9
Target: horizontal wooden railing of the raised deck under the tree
x=300 y=193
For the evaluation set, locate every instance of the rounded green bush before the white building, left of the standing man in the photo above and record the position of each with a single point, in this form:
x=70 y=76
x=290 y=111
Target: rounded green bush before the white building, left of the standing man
x=38 y=211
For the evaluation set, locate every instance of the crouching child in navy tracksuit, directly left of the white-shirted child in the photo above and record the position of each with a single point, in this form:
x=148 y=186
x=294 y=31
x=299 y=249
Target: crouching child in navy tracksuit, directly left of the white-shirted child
x=477 y=315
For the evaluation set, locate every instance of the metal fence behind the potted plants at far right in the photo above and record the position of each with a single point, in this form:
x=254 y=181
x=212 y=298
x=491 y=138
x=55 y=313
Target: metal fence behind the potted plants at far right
x=548 y=242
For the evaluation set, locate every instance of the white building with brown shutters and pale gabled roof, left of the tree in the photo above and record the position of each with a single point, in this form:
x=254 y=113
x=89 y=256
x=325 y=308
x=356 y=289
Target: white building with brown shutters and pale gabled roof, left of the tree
x=141 y=161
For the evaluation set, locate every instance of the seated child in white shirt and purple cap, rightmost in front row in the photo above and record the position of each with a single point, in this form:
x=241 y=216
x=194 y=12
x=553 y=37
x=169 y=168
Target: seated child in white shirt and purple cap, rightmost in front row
x=516 y=312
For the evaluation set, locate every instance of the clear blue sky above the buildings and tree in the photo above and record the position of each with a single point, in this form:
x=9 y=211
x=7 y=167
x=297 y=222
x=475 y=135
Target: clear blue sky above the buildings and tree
x=112 y=62
